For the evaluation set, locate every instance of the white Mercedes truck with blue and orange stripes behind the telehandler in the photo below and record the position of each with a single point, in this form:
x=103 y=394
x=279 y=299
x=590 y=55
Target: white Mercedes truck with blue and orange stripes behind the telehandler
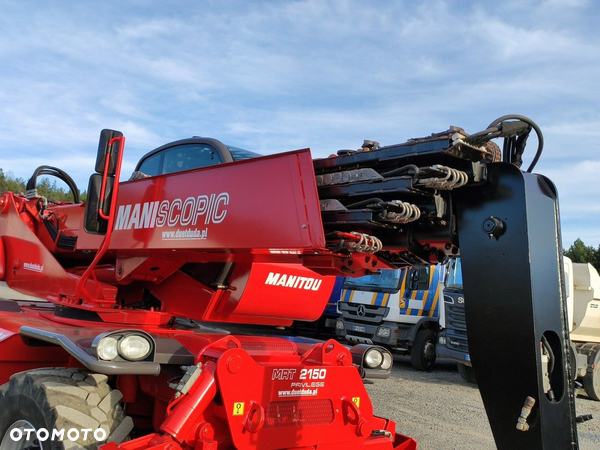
x=394 y=308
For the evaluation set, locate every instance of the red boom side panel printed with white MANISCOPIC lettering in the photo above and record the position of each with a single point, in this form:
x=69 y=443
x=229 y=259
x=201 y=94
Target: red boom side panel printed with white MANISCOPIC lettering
x=265 y=203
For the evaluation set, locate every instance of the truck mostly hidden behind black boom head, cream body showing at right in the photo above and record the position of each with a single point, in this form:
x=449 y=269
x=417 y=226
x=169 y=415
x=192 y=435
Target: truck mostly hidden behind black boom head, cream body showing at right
x=582 y=286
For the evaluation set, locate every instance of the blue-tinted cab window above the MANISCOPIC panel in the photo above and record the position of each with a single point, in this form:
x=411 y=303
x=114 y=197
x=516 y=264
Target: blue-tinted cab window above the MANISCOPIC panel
x=179 y=158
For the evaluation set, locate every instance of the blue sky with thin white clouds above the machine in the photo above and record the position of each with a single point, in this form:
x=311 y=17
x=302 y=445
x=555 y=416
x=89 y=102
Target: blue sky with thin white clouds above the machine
x=280 y=75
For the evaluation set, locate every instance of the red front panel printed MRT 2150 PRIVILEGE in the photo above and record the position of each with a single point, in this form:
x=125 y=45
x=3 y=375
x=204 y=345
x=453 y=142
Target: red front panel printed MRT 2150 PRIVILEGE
x=251 y=393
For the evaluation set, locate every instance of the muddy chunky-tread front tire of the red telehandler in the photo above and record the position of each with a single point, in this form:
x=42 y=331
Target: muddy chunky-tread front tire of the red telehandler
x=60 y=399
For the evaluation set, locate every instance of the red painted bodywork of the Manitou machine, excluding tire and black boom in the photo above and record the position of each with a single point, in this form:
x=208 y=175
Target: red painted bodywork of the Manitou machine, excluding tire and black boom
x=203 y=248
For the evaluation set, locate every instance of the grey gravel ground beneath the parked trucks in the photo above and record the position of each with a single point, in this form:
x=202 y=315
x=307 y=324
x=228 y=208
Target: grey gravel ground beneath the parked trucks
x=442 y=412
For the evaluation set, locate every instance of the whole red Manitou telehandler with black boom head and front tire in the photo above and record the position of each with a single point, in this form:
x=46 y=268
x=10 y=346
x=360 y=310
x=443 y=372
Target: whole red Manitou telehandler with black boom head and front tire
x=129 y=352
